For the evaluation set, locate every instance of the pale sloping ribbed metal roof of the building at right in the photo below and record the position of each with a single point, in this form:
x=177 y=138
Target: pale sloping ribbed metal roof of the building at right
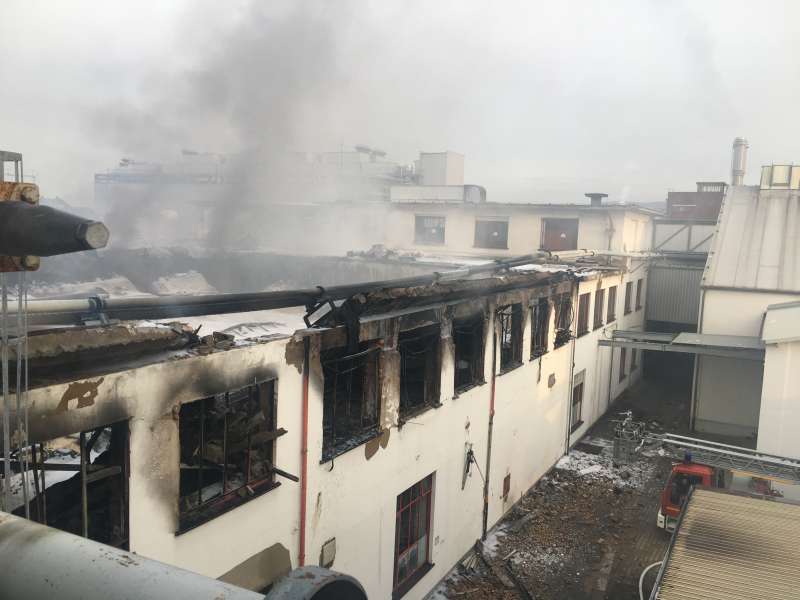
x=757 y=243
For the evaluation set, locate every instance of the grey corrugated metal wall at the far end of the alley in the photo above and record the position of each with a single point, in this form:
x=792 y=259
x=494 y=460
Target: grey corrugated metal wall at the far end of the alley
x=673 y=293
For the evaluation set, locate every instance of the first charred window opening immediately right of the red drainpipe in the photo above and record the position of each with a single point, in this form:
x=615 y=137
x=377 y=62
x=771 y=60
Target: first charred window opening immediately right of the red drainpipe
x=350 y=399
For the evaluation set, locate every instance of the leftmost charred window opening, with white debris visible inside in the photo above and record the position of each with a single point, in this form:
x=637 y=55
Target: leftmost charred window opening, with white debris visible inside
x=79 y=484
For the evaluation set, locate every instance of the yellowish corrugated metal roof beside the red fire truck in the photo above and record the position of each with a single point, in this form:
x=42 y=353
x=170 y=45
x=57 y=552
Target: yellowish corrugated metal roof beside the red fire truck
x=732 y=547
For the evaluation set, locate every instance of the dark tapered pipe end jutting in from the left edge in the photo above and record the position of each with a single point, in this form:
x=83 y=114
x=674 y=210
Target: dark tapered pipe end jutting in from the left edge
x=34 y=230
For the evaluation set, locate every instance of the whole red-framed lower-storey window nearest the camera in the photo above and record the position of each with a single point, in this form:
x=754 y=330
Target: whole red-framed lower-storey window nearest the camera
x=412 y=536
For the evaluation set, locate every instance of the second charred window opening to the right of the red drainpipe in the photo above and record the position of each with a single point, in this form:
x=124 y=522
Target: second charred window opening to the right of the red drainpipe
x=419 y=369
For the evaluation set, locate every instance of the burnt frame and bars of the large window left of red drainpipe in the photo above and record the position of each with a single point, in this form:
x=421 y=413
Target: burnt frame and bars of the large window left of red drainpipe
x=208 y=510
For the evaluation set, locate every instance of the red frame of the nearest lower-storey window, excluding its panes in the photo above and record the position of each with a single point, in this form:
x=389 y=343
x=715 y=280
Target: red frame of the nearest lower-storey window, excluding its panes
x=400 y=588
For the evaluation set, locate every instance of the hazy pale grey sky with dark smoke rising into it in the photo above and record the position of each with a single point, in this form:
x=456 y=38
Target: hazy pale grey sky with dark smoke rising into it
x=547 y=100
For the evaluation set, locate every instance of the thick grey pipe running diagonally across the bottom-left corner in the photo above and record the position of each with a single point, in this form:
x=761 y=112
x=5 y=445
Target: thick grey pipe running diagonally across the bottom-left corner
x=41 y=562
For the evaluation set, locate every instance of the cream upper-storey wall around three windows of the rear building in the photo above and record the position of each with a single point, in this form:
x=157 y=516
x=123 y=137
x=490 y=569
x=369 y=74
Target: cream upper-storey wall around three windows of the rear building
x=627 y=230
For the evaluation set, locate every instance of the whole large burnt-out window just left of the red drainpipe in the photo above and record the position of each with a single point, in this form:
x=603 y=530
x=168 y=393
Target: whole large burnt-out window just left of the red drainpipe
x=227 y=448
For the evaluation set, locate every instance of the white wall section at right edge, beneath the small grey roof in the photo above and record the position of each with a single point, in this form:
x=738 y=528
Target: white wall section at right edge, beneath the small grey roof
x=779 y=417
